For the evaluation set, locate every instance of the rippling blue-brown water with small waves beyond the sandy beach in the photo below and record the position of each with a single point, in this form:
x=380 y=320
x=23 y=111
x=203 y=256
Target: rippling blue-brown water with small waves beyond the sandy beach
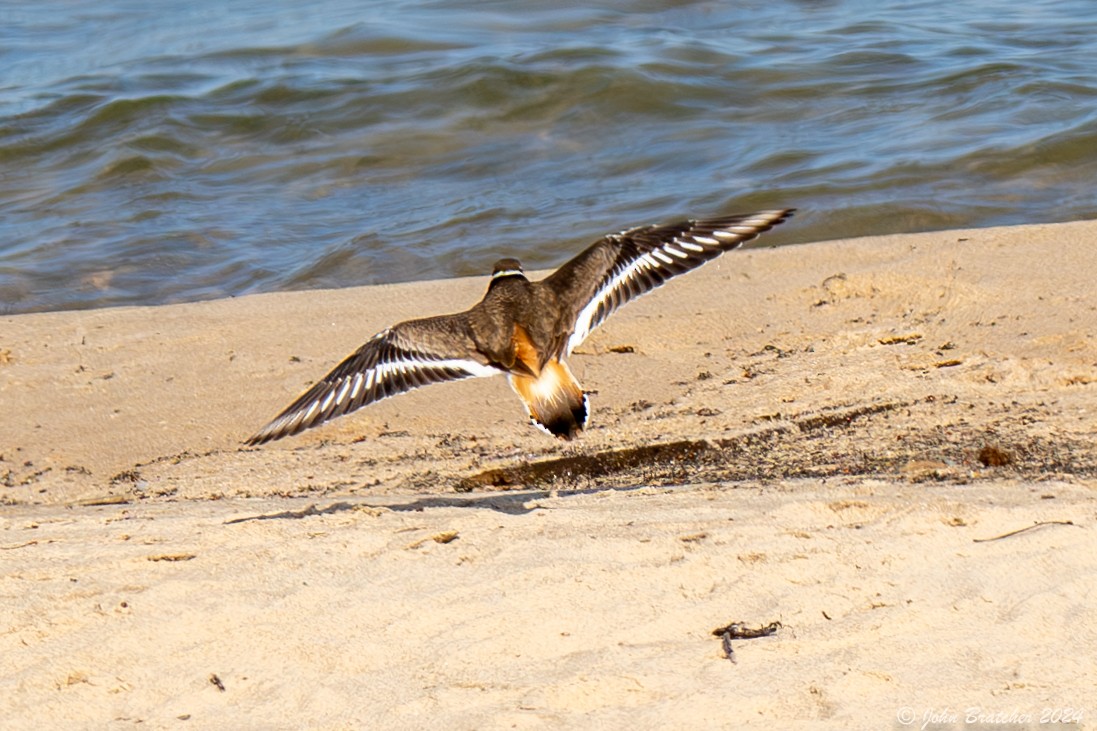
x=165 y=152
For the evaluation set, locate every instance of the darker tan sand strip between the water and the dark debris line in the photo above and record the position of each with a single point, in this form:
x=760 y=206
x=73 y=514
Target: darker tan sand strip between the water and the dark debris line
x=95 y=396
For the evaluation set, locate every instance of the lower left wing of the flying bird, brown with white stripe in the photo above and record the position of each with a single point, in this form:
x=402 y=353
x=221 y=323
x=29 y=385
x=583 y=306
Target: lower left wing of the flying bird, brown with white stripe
x=404 y=357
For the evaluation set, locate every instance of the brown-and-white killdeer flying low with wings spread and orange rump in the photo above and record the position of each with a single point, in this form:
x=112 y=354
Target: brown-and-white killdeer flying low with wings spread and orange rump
x=522 y=330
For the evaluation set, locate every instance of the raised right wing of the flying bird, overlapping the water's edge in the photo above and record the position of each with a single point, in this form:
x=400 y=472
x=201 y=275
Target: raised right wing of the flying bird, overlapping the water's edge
x=621 y=267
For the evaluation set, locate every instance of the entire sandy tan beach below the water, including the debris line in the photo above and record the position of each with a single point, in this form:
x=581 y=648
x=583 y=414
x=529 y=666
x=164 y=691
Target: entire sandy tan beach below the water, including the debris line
x=820 y=436
